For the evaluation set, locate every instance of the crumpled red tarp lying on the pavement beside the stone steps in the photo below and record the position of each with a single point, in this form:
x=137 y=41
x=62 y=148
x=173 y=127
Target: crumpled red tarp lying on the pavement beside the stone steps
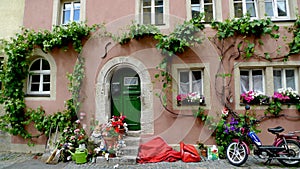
x=157 y=150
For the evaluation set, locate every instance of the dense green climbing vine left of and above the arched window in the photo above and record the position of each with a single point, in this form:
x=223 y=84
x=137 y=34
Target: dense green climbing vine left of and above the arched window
x=18 y=50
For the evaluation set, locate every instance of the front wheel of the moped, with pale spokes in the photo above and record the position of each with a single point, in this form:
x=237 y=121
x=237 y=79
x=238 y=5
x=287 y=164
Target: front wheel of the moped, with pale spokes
x=236 y=154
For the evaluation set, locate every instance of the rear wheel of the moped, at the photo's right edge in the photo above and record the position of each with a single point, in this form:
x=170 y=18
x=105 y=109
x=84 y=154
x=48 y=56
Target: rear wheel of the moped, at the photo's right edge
x=294 y=151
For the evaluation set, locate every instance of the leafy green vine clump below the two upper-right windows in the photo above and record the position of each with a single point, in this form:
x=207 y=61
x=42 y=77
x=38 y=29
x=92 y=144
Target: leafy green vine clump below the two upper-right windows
x=245 y=27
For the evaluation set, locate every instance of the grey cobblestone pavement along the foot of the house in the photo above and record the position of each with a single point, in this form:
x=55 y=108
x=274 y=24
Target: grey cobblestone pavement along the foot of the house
x=31 y=161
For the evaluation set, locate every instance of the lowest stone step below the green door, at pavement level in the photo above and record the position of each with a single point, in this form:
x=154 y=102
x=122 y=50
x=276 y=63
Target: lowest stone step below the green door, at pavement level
x=117 y=160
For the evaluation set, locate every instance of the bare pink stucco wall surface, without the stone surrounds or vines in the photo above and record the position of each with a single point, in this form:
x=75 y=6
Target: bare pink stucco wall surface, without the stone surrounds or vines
x=38 y=15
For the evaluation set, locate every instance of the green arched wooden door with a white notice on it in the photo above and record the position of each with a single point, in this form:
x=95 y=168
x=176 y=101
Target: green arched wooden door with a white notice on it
x=125 y=96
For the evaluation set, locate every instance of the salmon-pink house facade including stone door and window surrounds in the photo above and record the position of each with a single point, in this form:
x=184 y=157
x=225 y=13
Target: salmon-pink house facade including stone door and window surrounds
x=176 y=123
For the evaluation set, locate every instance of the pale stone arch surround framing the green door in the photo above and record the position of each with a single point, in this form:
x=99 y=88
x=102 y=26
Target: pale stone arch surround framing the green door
x=102 y=99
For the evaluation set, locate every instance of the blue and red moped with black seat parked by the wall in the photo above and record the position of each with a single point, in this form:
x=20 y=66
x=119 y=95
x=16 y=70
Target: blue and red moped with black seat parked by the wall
x=286 y=147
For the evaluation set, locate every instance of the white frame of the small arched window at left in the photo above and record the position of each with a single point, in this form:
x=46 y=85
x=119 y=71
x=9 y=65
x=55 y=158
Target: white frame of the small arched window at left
x=41 y=73
